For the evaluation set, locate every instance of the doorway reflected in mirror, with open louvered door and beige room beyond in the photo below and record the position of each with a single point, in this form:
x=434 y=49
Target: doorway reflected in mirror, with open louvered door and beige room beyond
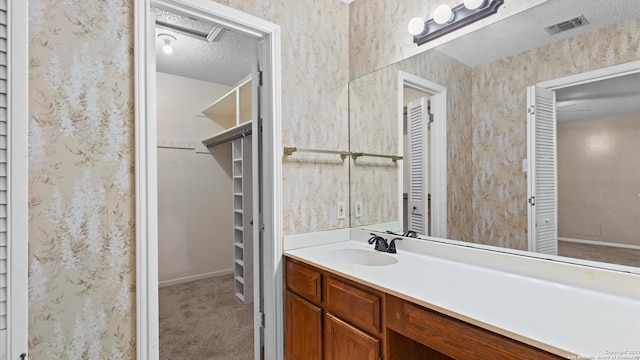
x=587 y=177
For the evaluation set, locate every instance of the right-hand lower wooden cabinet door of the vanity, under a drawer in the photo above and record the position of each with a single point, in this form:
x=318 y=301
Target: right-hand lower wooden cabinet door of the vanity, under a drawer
x=343 y=341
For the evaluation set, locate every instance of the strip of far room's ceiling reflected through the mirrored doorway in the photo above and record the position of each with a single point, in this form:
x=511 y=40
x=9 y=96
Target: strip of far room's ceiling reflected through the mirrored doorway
x=619 y=95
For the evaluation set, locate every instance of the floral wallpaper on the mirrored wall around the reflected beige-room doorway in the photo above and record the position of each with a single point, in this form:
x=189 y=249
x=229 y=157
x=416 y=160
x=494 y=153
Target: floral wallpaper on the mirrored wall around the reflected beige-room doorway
x=499 y=122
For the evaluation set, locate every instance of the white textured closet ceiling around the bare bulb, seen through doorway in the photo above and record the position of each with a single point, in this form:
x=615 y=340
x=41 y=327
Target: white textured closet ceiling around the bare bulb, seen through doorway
x=225 y=61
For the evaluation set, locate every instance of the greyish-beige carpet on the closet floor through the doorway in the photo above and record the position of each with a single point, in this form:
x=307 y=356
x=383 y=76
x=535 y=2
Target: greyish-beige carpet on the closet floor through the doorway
x=204 y=320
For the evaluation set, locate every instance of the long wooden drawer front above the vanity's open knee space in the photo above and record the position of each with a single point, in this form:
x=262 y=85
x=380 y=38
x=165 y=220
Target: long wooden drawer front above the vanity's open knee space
x=453 y=337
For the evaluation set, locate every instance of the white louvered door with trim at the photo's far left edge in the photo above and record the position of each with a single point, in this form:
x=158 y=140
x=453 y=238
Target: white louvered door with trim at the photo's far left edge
x=13 y=179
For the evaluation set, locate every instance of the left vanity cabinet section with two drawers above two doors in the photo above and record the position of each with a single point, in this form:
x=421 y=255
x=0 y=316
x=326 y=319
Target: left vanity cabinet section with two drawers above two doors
x=328 y=317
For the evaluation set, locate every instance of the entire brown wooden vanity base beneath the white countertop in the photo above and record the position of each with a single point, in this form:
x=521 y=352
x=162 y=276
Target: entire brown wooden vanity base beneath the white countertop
x=330 y=317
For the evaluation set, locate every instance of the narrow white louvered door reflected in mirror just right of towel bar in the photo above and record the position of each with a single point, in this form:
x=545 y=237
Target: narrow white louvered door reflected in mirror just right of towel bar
x=418 y=151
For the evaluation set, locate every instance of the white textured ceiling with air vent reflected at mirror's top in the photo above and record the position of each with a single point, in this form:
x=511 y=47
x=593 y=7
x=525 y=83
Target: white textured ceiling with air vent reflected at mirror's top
x=525 y=30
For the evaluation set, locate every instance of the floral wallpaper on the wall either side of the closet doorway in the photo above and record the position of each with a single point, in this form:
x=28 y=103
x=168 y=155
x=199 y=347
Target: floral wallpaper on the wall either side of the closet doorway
x=81 y=190
